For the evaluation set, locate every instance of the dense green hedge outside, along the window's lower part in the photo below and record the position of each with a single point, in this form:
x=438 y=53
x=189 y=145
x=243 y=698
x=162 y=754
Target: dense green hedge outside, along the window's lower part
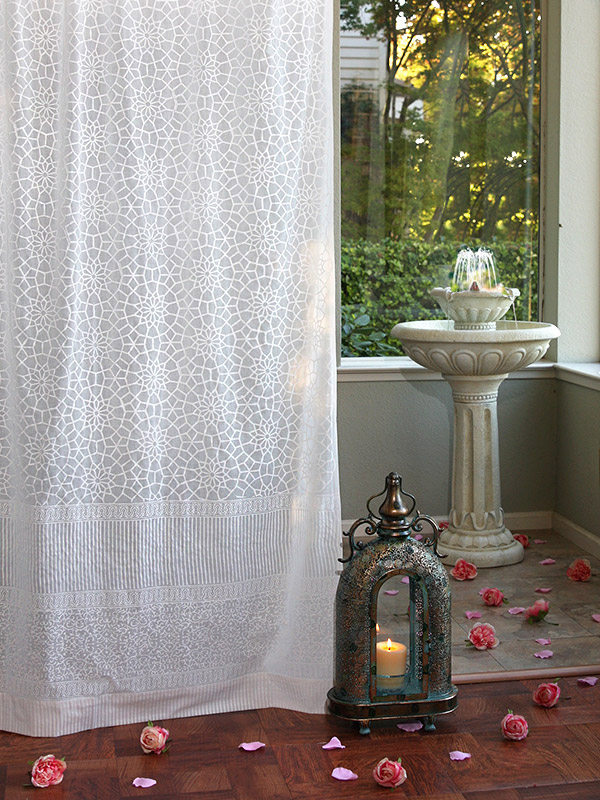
x=389 y=281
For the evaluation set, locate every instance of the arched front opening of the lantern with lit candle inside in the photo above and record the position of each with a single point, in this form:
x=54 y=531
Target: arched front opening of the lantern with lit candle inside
x=393 y=635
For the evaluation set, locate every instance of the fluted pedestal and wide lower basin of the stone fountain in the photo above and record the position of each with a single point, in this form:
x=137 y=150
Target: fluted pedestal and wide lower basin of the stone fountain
x=474 y=363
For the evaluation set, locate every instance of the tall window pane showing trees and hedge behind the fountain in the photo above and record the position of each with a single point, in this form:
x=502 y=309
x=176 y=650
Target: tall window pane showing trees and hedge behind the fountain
x=440 y=151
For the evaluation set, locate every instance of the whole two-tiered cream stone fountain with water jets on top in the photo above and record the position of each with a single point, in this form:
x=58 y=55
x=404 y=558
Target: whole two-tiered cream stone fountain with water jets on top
x=475 y=349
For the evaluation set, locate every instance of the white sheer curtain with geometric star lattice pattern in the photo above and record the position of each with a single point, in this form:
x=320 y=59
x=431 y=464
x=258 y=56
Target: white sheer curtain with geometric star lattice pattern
x=170 y=514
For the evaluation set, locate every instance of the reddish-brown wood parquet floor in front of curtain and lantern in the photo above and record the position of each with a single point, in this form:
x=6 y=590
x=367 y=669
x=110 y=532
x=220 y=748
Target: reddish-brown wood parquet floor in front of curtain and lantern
x=560 y=760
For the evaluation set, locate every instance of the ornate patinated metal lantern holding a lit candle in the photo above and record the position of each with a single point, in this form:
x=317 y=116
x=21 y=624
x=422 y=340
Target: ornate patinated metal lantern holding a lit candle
x=393 y=626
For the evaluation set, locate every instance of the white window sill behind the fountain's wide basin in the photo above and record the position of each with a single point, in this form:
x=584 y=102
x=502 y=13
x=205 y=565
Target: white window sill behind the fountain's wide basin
x=402 y=368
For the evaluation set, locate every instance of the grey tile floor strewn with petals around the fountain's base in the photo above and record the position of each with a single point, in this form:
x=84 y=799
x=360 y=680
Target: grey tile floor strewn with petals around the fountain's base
x=575 y=641
